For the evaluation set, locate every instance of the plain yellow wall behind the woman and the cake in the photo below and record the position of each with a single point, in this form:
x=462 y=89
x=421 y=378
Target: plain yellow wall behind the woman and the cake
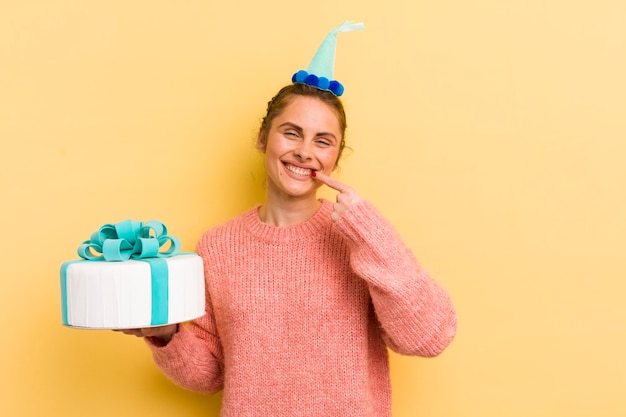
x=491 y=133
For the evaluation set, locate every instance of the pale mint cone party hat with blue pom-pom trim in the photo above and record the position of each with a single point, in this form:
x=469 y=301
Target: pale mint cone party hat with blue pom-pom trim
x=320 y=71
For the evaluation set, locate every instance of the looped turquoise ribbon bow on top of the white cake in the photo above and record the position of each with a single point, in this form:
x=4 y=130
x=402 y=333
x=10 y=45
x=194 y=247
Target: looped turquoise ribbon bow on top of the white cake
x=129 y=239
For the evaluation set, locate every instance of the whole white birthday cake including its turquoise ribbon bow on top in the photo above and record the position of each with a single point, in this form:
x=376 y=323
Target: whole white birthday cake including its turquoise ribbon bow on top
x=126 y=279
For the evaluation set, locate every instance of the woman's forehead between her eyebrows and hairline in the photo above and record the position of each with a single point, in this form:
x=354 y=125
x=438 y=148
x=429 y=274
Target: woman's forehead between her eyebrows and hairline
x=309 y=113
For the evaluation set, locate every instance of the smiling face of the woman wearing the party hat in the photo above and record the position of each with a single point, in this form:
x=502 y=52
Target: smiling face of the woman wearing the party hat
x=305 y=137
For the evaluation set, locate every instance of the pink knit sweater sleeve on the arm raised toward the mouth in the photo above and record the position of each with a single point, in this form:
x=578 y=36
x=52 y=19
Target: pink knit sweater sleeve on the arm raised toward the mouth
x=416 y=315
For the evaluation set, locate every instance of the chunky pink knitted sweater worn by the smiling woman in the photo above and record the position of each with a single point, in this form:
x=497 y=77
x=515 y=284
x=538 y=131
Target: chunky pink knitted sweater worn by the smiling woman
x=300 y=317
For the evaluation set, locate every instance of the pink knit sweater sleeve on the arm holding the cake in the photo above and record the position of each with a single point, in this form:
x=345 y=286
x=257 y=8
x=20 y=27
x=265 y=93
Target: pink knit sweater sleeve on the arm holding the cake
x=193 y=358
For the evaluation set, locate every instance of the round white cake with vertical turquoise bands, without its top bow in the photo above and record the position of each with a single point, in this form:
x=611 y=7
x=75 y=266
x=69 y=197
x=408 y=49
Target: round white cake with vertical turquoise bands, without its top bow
x=98 y=294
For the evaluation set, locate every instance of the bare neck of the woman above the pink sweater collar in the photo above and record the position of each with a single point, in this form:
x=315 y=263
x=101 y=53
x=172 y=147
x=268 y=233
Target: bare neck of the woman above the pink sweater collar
x=288 y=211
